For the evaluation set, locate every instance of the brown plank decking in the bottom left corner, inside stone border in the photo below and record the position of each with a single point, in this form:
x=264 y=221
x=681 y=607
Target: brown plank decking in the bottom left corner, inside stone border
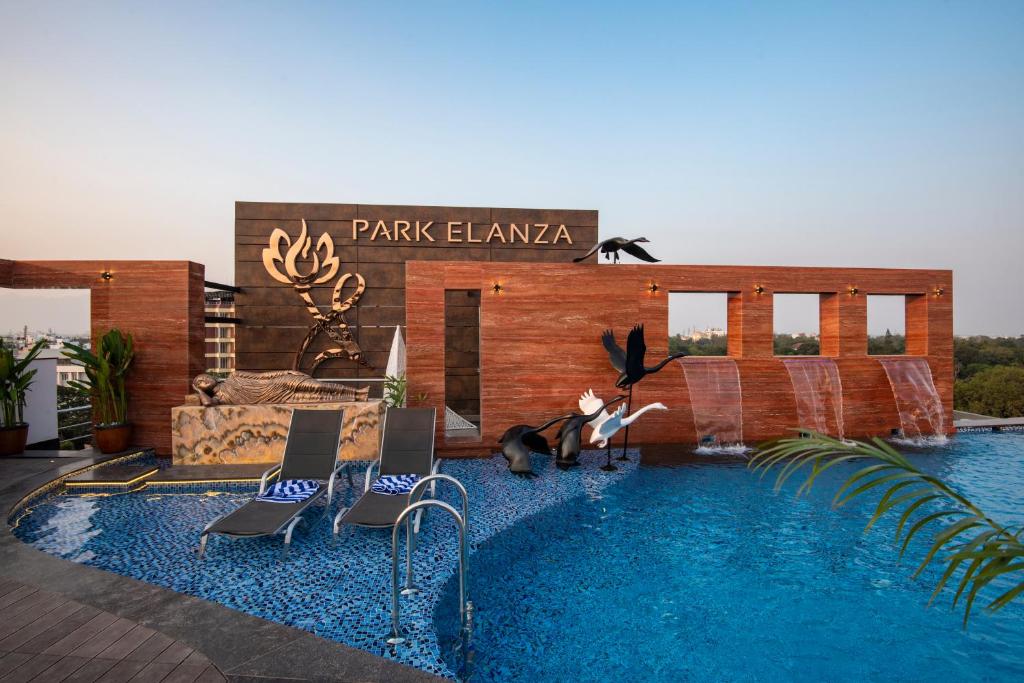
x=46 y=636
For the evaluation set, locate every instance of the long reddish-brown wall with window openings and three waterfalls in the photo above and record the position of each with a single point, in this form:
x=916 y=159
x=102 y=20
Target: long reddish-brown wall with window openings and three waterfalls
x=541 y=339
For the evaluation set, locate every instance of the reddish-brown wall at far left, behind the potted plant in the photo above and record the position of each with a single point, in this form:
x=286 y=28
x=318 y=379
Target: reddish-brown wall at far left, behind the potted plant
x=161 y=305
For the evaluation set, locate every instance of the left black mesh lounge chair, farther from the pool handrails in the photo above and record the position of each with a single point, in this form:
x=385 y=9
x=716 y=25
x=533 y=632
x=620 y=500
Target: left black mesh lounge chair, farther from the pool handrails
x=312 y=453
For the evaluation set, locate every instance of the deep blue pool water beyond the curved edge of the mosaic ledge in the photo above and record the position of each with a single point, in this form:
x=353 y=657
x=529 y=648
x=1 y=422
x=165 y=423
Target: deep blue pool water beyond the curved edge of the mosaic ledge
x=702 y=573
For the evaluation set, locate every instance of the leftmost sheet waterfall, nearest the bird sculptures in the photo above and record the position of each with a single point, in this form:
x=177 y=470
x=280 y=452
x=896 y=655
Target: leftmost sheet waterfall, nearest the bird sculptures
x=716 y=399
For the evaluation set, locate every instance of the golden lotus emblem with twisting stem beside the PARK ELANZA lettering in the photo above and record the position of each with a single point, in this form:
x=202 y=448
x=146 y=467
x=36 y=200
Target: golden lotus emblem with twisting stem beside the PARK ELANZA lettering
x=319 y=272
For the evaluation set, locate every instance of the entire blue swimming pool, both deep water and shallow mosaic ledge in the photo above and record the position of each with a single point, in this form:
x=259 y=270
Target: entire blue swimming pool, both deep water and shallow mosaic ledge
x=698 y=572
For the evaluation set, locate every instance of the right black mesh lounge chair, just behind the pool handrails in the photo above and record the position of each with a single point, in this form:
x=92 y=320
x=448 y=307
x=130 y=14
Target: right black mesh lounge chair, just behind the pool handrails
x=407 y=448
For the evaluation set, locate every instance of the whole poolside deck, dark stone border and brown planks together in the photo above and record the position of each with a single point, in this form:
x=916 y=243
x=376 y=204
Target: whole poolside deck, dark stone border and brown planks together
x=87 y=608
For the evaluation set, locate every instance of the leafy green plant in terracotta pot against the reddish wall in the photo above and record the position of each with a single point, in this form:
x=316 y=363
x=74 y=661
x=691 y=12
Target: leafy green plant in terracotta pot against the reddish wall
x=105 y=385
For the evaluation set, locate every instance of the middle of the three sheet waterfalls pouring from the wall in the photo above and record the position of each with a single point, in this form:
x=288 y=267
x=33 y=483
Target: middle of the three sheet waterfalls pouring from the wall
x=819 y=392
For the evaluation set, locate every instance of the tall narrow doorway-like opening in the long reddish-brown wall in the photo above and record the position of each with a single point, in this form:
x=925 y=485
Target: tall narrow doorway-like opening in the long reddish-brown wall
x=462 y=364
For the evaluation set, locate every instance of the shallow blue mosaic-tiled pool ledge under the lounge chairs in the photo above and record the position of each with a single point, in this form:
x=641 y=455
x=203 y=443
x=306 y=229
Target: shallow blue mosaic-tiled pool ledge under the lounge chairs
x=342 y=592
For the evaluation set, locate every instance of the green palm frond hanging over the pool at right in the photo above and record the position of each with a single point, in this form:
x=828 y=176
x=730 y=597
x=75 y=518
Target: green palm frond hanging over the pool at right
x=967 y=540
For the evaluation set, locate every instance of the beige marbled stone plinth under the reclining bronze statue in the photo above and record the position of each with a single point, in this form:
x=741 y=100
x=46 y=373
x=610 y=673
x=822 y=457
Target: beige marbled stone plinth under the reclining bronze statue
x=234 y=435
